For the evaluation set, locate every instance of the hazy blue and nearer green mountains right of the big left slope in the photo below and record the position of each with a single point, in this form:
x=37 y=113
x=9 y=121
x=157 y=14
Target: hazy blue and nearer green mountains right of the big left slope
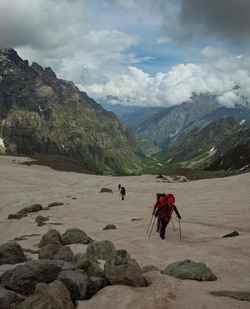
x=192 y=134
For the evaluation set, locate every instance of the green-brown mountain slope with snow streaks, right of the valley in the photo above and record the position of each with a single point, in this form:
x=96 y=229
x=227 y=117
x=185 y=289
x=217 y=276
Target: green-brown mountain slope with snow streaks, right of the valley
x=200 y=147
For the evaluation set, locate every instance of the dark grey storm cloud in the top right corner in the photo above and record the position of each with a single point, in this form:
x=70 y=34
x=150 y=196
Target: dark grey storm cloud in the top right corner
x=225 y=21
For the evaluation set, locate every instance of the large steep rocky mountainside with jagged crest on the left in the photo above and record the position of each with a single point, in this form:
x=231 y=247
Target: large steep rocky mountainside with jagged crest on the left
x=40 y=114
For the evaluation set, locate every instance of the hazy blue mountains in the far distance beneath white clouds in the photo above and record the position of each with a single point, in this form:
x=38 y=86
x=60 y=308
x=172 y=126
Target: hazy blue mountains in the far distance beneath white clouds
x=163 y=125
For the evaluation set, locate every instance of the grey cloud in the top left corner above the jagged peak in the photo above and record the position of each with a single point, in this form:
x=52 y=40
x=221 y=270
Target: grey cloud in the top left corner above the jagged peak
x=42 y=24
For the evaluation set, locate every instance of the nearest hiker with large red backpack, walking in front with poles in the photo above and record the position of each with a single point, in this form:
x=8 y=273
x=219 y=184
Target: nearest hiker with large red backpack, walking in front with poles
x=164 y=213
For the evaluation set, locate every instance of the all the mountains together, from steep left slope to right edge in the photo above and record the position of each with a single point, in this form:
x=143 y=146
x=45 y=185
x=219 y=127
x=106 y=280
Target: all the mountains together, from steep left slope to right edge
x=41 y=114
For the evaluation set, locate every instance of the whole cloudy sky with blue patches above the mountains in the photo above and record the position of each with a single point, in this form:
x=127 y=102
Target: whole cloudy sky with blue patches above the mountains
x=144 y=52
